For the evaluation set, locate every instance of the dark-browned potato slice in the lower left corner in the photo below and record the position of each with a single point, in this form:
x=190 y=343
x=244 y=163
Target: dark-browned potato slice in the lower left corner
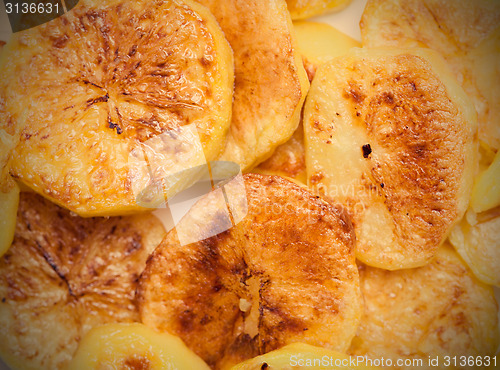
x=64 y=275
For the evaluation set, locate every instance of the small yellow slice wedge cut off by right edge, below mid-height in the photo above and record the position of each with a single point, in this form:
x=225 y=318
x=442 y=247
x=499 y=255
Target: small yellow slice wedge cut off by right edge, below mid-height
x=476 y=239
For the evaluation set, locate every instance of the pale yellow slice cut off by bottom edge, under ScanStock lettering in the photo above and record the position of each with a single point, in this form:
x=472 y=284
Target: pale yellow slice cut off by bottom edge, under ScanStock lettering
x=300 y=356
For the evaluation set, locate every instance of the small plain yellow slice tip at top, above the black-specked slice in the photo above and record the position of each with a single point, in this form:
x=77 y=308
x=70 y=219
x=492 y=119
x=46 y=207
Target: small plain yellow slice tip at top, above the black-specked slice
x=319 y=43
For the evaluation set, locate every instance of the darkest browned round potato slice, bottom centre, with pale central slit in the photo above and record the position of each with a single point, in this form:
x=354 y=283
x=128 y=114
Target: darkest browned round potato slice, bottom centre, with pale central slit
x=285 y=273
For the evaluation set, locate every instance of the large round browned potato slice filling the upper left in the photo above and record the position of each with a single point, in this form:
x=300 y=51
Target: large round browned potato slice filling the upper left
x=95 y=85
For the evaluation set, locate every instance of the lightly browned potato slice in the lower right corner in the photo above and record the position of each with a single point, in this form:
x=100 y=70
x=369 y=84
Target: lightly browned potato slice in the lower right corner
x=436 y=310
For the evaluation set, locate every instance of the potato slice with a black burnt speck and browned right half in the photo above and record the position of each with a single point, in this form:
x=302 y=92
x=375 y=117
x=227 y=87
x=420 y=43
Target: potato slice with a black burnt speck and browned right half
x=391 y=135
